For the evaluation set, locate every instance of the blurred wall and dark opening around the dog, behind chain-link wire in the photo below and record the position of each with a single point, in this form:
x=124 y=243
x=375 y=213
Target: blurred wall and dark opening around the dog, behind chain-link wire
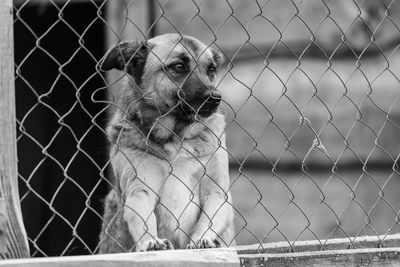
x=311 y=95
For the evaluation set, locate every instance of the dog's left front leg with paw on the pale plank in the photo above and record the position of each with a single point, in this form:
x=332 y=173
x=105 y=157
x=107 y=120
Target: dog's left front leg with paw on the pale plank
x=140 y=183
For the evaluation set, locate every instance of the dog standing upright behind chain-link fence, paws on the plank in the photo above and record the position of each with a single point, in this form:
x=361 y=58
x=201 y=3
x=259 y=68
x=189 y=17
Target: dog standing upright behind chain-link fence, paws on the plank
x=167 y=149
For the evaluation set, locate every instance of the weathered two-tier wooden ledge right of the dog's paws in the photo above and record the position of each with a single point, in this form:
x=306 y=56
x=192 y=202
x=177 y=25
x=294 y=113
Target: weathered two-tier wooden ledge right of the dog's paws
x=360 y=251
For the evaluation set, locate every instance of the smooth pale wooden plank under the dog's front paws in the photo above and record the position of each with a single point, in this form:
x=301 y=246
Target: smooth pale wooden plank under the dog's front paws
x=224 y=257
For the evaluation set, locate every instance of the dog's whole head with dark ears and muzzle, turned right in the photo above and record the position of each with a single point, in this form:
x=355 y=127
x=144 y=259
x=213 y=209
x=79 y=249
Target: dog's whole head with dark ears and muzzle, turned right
x=173 y=73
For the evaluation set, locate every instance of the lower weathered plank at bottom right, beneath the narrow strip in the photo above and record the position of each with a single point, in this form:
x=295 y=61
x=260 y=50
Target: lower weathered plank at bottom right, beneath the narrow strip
x=350 y=257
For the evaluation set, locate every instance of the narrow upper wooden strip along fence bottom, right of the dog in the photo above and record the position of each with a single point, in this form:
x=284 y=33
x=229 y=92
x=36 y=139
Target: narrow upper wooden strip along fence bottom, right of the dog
x=318 y=245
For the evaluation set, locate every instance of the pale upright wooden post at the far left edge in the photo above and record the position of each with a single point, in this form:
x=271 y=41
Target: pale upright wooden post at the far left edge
x=13 y=240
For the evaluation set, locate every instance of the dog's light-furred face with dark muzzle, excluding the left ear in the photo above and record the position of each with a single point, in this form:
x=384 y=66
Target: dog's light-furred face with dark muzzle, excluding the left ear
x=180 y=69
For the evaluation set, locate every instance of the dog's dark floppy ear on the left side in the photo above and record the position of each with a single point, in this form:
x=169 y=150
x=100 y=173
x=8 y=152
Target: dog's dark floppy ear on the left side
x=129 y=56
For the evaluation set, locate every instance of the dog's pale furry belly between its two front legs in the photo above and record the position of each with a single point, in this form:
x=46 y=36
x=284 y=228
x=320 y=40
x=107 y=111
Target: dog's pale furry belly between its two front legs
x=178 y=210
